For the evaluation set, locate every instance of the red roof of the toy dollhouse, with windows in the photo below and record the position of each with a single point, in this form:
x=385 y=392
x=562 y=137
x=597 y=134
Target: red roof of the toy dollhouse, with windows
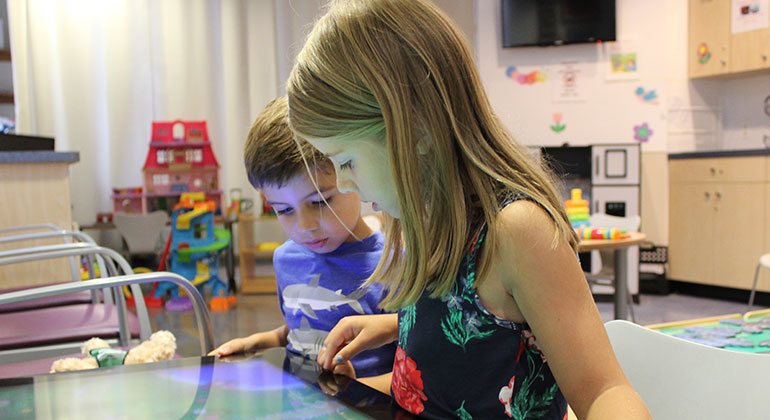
x=194 y=148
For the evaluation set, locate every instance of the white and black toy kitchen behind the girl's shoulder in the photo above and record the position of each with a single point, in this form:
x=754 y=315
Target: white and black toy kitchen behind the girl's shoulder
x=609 y=176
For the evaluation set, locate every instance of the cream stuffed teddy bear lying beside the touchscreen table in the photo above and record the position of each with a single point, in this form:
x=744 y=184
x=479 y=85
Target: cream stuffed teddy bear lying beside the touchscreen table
x=160 y=346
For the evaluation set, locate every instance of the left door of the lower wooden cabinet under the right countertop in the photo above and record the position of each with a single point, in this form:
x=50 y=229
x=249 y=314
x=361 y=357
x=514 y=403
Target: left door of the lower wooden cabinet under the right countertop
x=691 y=227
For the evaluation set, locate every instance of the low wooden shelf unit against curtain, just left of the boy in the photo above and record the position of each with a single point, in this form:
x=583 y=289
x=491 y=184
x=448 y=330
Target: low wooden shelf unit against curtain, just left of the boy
x=256 y=267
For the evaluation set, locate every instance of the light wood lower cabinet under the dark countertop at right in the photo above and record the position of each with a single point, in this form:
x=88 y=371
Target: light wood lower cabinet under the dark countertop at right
x=718 y=213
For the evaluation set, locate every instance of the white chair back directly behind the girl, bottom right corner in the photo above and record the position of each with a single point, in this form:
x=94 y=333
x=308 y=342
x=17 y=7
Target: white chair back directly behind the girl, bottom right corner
x=679 y=379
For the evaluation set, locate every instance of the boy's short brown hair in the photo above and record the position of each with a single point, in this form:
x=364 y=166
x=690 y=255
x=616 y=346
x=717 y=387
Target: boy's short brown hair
x=272 y=155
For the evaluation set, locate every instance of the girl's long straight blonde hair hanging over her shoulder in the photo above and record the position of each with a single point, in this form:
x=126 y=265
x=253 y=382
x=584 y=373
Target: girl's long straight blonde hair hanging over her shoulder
x=399 y=70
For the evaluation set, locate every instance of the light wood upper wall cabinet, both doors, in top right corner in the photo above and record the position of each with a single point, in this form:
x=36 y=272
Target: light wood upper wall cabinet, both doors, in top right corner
x=724 y=53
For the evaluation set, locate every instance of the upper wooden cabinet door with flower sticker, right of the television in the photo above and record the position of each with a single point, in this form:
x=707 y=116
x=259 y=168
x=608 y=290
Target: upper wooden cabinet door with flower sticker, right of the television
x=708 y=48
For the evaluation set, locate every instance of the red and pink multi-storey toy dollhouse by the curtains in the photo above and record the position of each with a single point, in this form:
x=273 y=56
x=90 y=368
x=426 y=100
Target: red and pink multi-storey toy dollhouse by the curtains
x=174 y=165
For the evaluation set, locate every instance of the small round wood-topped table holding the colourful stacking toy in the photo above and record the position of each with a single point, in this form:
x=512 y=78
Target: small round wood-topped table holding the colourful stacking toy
x=621 y=247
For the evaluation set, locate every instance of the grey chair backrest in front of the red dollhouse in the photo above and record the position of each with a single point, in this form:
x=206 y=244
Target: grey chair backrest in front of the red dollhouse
x=142 y=232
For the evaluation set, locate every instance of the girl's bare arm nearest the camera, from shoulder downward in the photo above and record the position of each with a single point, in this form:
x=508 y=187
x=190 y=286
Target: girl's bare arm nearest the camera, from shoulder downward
x=548 y=289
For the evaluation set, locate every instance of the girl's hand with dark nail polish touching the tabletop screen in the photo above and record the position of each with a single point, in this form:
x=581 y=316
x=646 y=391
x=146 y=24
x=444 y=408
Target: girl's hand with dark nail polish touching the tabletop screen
x=354 y=334
